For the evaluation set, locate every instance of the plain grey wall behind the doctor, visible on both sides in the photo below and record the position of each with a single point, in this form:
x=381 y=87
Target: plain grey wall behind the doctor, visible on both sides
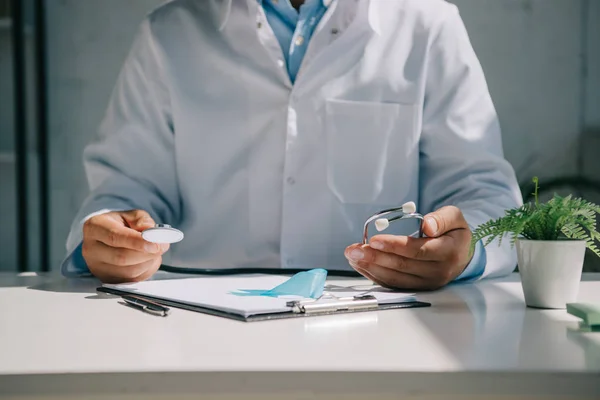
x=531 y=51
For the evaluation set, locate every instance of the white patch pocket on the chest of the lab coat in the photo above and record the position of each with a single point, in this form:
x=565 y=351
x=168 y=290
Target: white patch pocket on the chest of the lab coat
x=361 y=142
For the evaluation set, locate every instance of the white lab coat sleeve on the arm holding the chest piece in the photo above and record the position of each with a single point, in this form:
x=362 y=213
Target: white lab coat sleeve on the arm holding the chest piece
x=131 y=163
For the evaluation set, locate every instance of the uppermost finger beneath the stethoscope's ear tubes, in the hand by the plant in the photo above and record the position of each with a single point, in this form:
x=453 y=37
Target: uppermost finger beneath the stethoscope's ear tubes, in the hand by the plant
x=426 y=249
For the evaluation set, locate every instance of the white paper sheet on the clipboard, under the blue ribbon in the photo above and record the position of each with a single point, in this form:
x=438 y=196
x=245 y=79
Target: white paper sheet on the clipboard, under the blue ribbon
x=215 y=293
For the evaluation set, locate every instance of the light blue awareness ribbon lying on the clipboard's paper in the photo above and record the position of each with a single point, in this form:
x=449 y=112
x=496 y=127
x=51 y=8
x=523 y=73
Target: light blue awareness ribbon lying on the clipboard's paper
x=307 y=284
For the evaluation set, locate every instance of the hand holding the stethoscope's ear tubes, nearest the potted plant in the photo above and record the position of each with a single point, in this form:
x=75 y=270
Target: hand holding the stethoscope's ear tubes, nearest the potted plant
x=427 y=263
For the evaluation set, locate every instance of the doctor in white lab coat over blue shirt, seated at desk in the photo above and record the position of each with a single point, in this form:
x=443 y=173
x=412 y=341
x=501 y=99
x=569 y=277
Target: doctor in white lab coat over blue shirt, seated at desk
x=268 y=131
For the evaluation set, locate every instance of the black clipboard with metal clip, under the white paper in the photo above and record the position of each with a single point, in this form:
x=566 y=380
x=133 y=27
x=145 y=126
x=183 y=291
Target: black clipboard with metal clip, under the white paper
x=325 y=305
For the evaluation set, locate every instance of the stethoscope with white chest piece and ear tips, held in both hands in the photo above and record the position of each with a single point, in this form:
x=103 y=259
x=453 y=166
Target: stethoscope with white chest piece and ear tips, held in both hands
x=162 y=233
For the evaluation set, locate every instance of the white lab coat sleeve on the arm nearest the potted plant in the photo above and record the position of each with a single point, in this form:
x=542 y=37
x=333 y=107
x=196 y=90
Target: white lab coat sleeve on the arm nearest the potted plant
x=461 y=156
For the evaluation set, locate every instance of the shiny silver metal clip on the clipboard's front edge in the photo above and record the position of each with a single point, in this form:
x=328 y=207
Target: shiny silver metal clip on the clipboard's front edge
x=328 y=304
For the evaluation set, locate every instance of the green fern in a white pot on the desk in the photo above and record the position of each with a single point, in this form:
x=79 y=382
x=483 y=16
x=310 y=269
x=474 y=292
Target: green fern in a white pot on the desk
x=551 y=239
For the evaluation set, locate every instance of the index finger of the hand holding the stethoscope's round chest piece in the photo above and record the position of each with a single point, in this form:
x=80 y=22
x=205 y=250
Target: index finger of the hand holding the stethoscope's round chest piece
x=114 y=234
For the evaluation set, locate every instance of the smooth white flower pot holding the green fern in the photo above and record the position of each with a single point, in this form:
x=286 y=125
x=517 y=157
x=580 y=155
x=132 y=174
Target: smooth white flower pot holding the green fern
x=550 y=271
